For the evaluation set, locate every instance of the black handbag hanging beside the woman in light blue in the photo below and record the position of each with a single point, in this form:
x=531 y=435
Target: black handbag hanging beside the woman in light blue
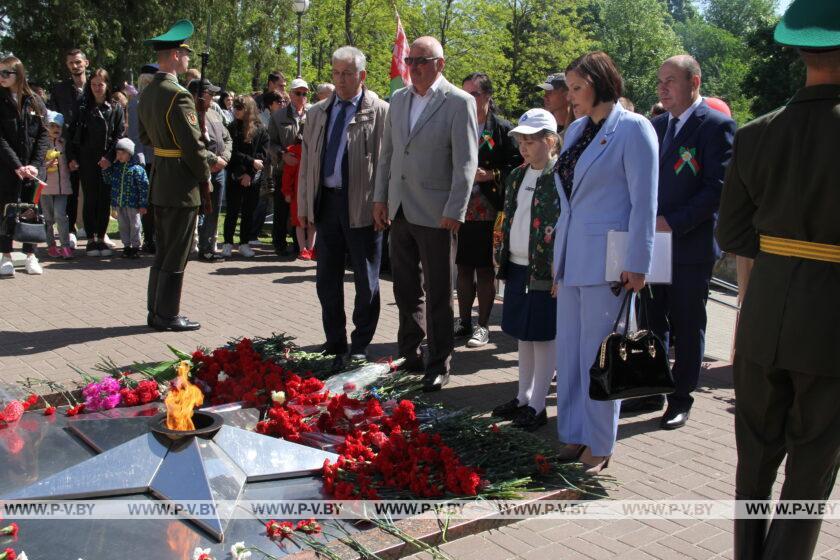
x=630 y=365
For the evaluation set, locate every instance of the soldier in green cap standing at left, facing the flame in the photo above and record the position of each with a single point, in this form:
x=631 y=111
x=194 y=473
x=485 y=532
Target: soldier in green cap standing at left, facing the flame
x=169 y=122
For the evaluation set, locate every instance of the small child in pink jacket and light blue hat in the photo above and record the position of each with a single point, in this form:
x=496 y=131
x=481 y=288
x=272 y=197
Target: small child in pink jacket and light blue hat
x=57 y=189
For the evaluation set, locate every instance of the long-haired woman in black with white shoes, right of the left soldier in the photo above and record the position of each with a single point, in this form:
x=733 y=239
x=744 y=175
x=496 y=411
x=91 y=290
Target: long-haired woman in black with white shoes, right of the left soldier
x=250 y=152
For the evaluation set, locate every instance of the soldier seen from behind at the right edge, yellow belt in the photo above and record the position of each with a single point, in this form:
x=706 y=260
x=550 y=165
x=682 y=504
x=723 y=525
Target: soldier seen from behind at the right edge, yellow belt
x=780 y=206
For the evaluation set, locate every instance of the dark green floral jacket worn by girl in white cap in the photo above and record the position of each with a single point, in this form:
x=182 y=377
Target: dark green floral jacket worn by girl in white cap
x=545 y=209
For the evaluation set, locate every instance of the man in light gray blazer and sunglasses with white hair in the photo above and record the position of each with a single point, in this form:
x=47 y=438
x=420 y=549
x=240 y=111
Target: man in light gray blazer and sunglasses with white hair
x=427 y=164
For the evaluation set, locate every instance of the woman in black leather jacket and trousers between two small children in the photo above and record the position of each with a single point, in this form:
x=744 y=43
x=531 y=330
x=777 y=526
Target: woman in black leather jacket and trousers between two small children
x=91 y=148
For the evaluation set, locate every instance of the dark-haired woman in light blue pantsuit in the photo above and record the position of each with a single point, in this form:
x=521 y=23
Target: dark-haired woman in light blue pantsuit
x=606 y=176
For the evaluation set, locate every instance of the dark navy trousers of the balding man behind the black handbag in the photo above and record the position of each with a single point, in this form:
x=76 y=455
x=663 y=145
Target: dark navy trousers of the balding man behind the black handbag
x=679 y=309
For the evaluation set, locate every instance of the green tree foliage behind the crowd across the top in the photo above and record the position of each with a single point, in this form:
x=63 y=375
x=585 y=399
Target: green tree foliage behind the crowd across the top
x=516 y=42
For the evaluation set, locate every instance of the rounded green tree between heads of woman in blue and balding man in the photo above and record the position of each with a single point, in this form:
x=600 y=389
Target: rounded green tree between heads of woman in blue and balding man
x=637 y=34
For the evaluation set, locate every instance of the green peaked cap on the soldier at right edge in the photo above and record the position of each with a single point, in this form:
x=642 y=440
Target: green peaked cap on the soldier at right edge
x=810 y=24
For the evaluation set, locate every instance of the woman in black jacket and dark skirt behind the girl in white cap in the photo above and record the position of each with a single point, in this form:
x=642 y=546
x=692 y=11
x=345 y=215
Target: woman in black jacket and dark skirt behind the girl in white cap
x=497 y=155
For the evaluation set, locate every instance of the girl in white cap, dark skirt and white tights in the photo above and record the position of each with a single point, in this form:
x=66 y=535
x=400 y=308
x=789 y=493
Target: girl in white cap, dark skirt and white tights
x=529 y=313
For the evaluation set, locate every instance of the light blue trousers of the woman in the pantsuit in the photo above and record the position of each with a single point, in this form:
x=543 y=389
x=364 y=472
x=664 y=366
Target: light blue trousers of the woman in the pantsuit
x=585 y=315
